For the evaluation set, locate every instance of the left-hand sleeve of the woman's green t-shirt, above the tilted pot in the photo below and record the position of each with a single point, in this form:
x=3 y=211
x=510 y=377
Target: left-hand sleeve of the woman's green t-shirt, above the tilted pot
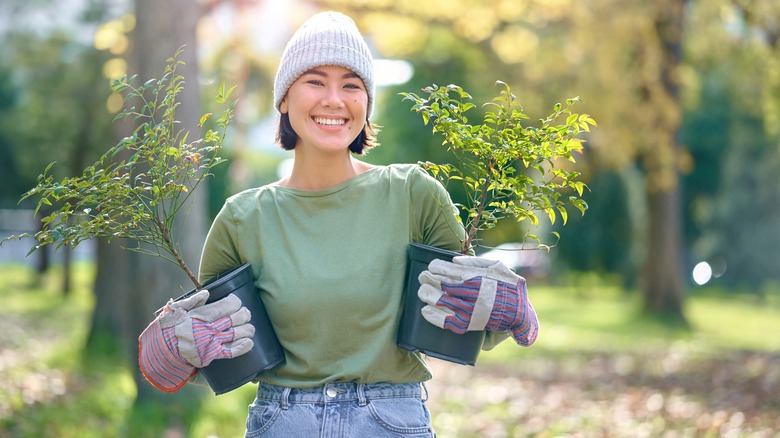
x=220 y=252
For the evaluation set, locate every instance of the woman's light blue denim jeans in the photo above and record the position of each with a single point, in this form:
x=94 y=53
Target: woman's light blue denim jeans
x=339 y=410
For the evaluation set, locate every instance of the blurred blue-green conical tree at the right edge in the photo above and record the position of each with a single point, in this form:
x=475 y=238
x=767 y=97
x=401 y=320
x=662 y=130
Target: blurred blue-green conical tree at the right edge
x=750 y=221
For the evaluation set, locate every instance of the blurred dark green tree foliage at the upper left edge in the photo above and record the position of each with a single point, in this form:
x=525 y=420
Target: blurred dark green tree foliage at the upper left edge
x=52 y=108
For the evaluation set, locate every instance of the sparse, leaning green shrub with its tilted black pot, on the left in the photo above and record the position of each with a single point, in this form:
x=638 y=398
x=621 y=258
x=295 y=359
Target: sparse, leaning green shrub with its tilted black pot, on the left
x=138 y=197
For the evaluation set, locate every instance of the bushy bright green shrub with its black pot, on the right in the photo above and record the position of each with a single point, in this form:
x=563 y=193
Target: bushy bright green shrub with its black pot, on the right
x=507 y=169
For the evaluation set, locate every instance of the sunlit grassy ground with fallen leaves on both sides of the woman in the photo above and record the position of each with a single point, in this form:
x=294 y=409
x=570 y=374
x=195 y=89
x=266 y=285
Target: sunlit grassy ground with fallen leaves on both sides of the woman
x=598 y=370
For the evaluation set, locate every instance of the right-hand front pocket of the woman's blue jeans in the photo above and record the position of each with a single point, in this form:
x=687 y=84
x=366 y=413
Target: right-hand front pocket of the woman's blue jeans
x=406 y=416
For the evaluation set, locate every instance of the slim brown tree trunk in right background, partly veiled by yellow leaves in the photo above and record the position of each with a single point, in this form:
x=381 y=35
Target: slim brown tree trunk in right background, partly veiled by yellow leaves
x=663 y=284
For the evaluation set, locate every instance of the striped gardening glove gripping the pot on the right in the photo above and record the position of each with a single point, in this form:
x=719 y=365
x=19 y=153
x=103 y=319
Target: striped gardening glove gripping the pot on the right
x=474 y=293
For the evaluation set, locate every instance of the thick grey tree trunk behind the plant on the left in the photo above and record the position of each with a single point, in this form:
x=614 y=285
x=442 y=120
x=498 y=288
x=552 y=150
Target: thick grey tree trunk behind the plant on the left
x=130 y=286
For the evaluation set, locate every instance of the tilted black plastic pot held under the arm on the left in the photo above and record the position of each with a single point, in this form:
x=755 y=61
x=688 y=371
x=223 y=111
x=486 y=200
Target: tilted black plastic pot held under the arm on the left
x=224 y=375
